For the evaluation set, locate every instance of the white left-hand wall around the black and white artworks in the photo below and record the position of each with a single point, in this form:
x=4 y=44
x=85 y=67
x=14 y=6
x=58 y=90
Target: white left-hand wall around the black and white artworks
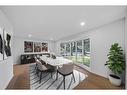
x=6 y=66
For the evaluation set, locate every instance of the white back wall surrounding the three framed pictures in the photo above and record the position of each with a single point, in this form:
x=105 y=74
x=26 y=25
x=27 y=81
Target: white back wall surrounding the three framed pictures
x=19 y=47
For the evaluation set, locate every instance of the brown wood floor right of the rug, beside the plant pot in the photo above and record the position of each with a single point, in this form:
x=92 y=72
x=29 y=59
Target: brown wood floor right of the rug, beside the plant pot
x=94 y=81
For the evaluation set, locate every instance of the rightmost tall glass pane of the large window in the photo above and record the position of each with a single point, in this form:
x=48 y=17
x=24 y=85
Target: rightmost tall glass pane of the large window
x=86 y=56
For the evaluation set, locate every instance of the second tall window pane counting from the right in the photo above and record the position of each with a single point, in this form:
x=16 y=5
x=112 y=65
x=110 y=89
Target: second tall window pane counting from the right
x=79 y=52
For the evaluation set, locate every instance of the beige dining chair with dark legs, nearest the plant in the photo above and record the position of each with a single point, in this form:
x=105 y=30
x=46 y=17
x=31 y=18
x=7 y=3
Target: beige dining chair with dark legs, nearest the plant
x=65 y=70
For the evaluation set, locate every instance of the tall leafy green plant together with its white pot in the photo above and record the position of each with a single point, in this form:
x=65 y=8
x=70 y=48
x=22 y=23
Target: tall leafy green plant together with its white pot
x=116 y=63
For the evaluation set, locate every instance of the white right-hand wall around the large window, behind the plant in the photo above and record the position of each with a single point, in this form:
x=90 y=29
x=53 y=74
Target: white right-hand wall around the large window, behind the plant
x=101 y=40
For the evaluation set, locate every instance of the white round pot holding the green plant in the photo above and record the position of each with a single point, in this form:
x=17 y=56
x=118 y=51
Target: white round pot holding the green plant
x=115 y=80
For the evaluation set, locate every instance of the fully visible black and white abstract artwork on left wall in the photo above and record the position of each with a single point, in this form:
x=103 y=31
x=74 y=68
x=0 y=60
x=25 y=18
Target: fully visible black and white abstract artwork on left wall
x=7 y=44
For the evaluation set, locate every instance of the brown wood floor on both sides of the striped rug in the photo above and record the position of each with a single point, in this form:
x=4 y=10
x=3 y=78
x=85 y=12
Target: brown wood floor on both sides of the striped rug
x=21 y=80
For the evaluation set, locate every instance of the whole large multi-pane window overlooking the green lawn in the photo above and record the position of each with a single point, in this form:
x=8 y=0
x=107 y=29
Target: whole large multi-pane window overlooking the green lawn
x=77 y=51
